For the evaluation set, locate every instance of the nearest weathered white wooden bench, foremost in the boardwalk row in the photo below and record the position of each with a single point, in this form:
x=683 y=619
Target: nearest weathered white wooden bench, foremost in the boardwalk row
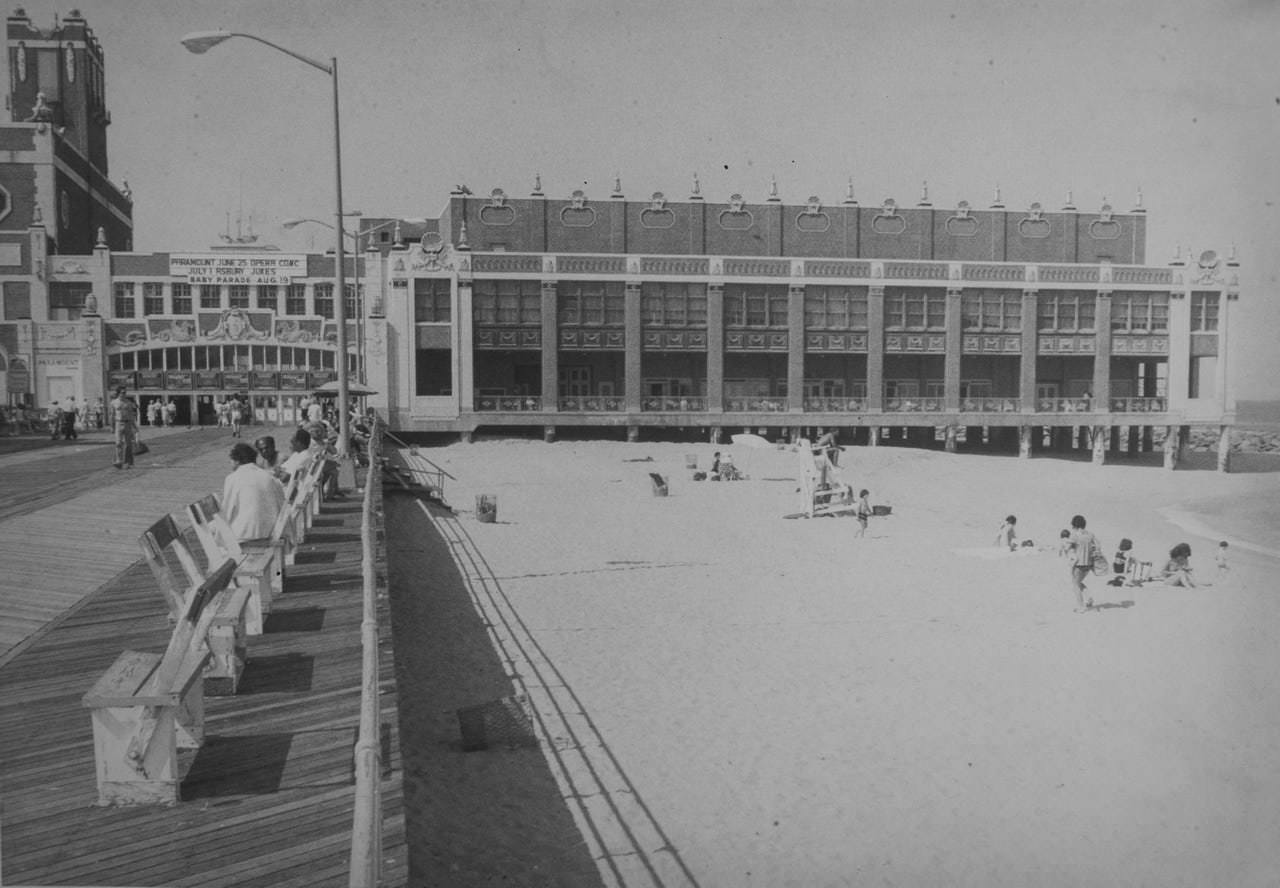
x=148 y=707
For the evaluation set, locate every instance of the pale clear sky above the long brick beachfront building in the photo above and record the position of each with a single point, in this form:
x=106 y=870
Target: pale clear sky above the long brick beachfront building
x=1180 y=99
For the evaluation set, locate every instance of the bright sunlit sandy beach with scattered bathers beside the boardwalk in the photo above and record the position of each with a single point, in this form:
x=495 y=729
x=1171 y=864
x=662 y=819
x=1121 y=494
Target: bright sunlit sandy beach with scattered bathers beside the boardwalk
x=756 y=701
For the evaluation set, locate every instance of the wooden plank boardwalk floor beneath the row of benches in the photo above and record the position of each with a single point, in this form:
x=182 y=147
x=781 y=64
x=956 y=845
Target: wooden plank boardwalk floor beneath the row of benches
x=268 y=799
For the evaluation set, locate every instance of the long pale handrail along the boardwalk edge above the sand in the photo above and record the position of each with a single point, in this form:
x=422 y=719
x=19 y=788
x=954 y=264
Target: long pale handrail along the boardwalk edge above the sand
x=367 y=831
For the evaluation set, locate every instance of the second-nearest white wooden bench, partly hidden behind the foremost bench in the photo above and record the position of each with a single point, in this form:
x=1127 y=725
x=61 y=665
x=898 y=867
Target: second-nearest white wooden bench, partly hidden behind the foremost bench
x=226 y=634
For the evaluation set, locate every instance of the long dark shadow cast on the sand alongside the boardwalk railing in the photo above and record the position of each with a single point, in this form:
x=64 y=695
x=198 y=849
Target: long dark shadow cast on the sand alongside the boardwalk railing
x=482 y=818
